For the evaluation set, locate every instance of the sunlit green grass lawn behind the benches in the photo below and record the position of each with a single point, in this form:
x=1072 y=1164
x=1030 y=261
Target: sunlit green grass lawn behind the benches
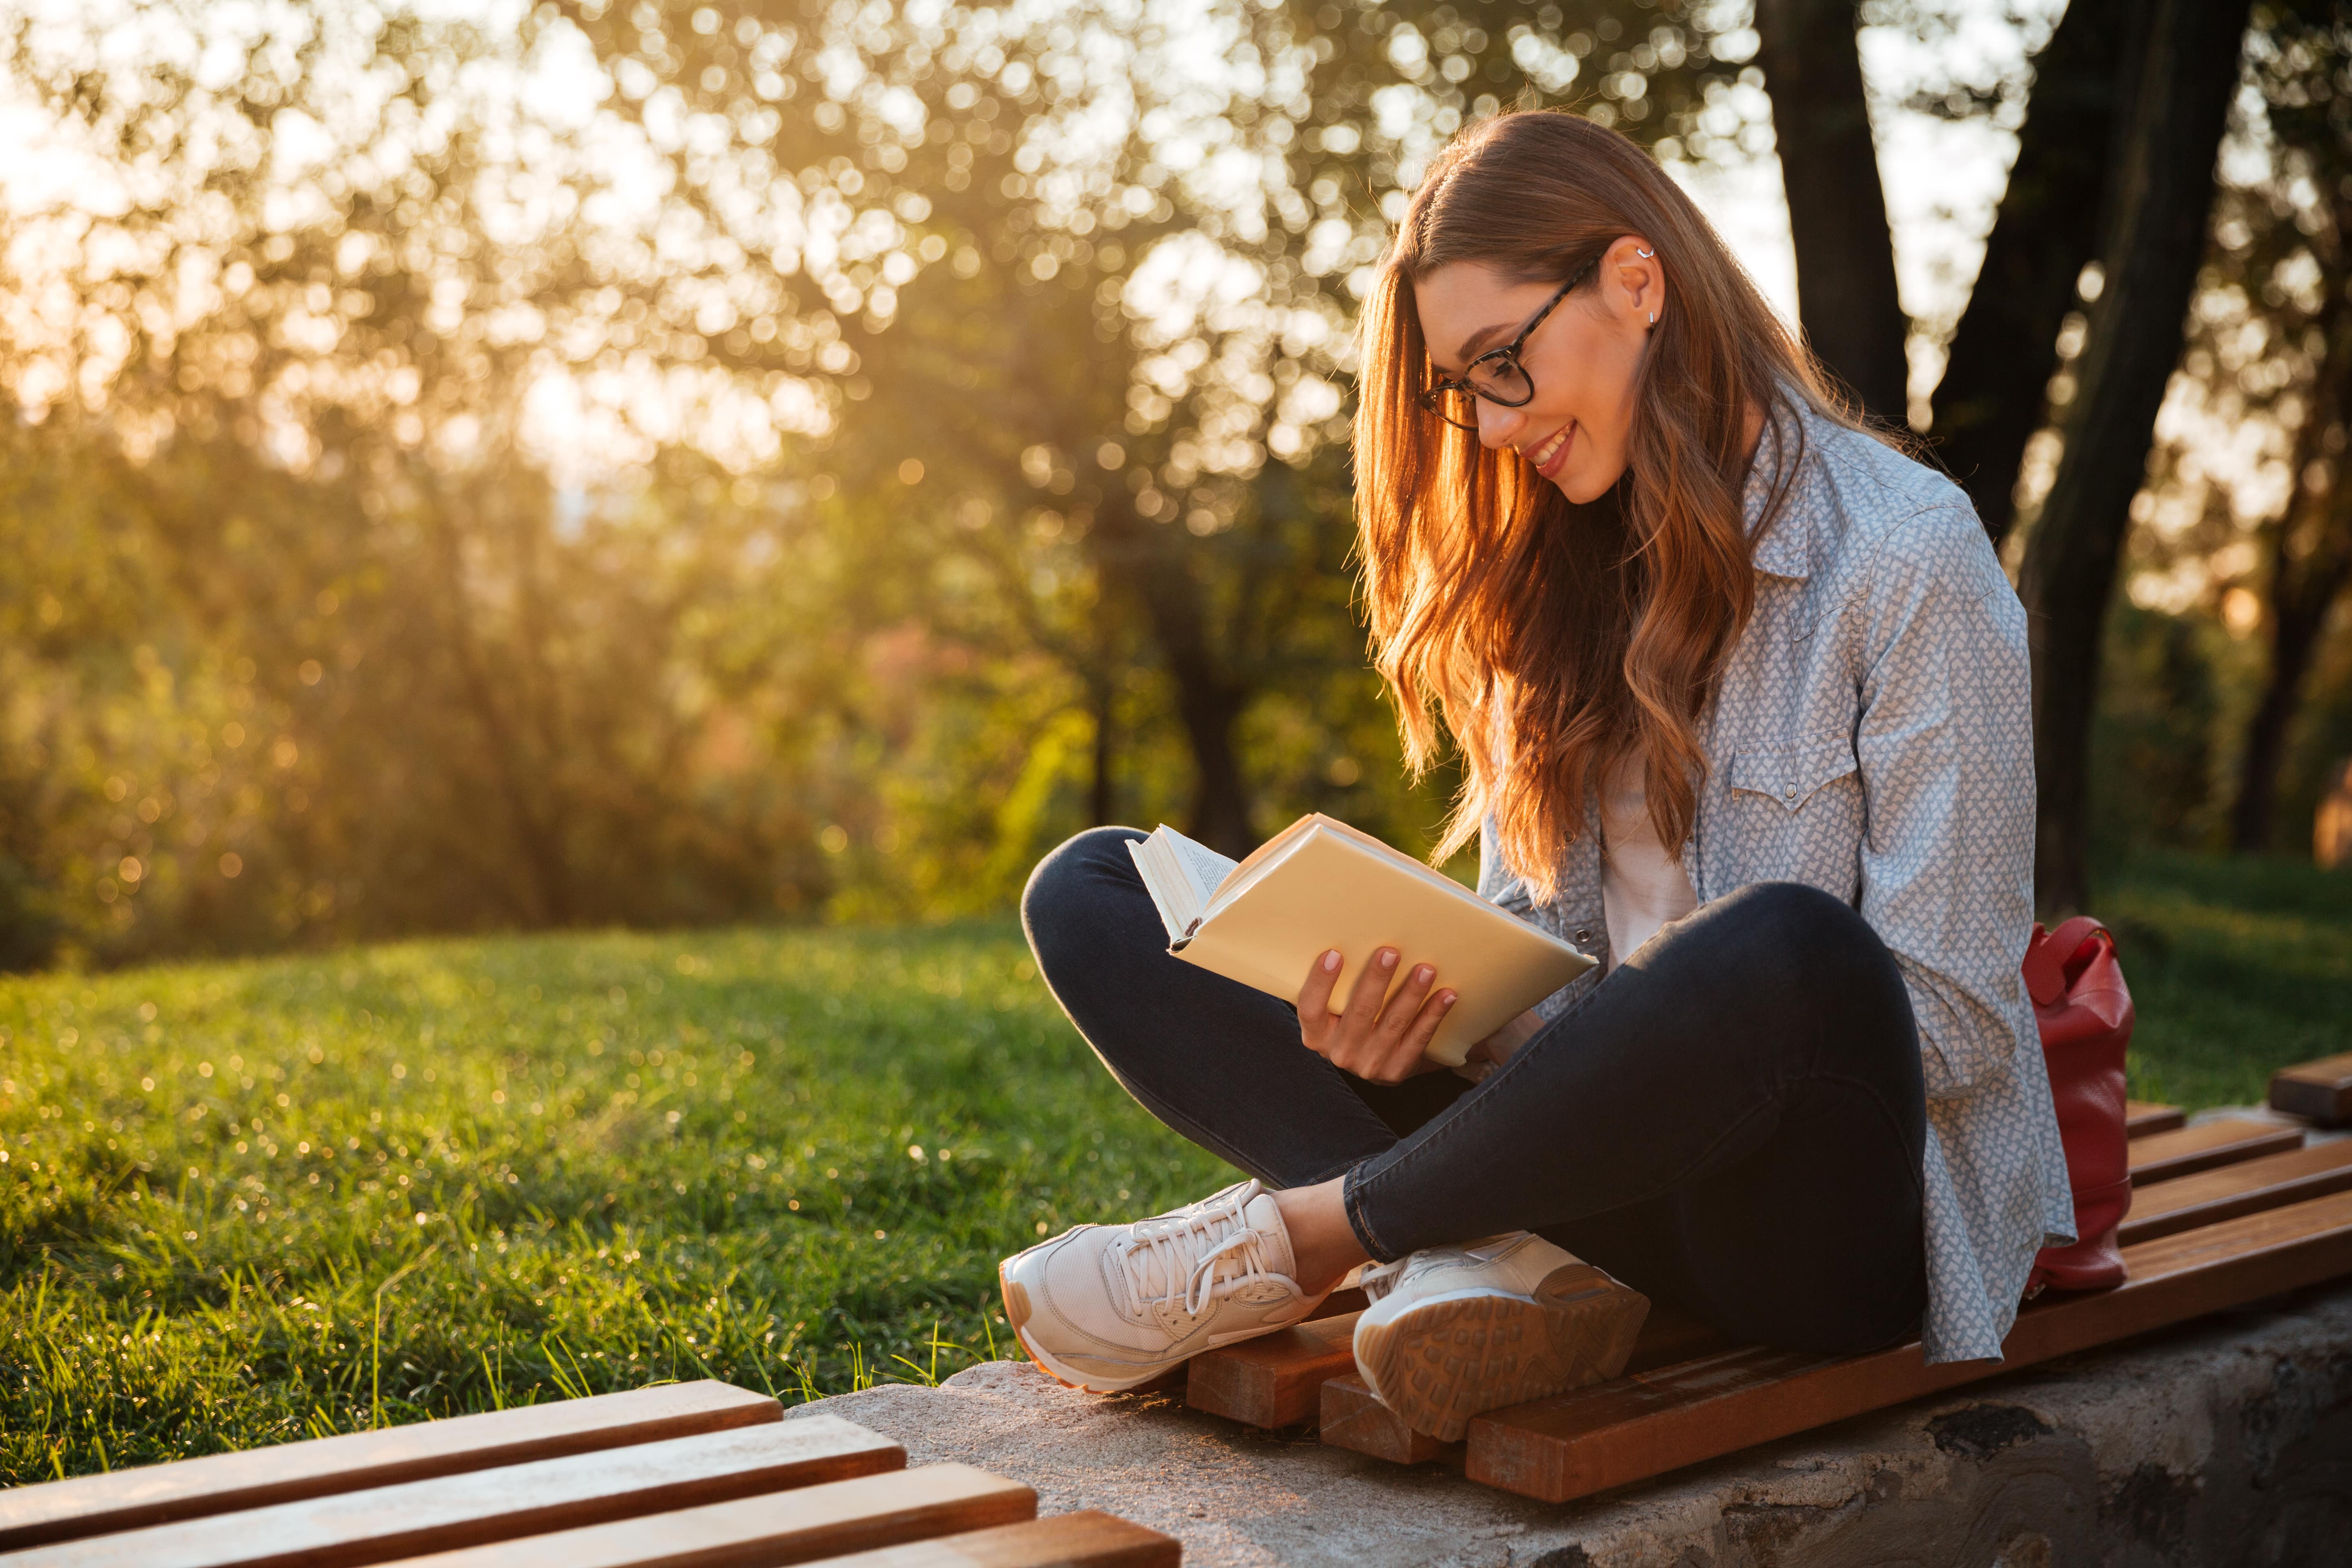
x=255 y=1202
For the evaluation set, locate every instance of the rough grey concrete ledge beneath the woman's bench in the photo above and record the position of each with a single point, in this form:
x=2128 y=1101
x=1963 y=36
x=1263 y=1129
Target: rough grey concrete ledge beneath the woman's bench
x=2229 y=1442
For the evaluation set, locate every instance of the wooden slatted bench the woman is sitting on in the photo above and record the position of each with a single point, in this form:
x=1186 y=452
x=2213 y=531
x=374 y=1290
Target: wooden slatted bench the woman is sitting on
x=2224 y=1214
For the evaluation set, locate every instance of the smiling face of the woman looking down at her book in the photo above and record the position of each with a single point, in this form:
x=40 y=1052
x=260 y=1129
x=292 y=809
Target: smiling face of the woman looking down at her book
x=1582 y=359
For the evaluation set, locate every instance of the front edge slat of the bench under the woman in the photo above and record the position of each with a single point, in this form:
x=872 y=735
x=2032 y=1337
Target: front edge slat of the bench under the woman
x=1645 y=1426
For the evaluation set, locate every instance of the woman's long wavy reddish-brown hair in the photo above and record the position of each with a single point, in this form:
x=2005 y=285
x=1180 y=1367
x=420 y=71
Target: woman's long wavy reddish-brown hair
x=1556 y=638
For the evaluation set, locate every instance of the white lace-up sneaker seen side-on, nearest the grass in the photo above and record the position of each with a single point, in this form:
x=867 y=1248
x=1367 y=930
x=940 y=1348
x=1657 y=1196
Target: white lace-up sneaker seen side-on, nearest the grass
x=1114 y=1306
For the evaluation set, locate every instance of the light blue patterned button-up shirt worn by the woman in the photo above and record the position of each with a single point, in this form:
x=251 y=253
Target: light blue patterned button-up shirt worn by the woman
x=1873 y=737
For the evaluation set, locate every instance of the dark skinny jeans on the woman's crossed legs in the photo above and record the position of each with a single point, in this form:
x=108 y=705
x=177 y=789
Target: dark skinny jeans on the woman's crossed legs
x=1732 y=1123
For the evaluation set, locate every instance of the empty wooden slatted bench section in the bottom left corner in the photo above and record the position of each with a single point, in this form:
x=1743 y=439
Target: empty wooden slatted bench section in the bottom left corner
x=697 y=1473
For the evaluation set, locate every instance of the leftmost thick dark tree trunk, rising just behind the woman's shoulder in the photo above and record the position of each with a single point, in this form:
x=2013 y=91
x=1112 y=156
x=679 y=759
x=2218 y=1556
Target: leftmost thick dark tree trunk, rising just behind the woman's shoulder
x=1836 y=206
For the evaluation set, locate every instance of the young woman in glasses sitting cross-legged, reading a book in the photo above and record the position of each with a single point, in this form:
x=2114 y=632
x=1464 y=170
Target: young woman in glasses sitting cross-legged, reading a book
x=1744 y=704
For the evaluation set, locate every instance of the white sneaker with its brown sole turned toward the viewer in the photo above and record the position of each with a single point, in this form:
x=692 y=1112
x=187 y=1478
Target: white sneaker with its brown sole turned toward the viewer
x=1464 y=1329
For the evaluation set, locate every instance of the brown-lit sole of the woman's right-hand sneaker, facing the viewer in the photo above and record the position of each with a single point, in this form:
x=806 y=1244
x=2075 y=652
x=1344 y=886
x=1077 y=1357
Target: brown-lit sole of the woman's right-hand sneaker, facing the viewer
x=1462 y=1355
